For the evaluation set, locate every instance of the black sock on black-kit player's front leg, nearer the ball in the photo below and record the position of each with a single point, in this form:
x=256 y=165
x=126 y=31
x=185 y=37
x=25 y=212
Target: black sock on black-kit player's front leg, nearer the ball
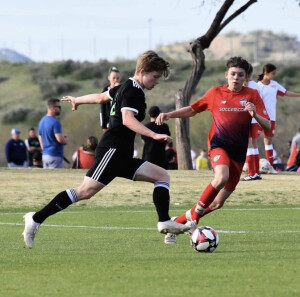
x=161 y=199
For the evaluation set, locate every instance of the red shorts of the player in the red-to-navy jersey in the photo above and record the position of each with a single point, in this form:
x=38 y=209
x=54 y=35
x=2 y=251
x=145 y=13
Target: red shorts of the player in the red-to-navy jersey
x=219 y=156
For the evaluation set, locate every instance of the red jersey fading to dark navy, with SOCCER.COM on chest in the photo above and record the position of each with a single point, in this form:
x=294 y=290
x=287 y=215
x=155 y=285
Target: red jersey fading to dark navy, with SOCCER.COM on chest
x=231 y=122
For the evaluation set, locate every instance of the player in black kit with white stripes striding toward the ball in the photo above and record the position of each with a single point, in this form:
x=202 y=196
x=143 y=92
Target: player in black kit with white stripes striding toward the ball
x=114 y=154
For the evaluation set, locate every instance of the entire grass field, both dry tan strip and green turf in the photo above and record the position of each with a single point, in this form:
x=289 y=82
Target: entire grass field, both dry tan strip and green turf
x=109 y=246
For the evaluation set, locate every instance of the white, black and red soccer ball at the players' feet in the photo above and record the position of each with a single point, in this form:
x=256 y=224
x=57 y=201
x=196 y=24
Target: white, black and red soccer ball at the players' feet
x=204 y=239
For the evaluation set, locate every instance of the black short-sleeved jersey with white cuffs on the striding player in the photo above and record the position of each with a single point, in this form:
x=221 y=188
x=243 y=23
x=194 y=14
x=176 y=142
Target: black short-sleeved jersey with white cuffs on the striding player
x=131 y=96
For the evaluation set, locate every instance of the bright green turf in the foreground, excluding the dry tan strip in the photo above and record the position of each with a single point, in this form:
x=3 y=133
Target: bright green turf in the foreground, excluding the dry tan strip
x=118 y=252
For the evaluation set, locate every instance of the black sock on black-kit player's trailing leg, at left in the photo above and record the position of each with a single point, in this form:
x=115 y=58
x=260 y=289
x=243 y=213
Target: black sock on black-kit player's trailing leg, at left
x=58 y=203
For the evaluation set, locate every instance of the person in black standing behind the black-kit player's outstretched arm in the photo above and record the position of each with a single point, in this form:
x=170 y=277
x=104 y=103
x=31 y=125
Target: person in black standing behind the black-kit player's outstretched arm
x=114 y=78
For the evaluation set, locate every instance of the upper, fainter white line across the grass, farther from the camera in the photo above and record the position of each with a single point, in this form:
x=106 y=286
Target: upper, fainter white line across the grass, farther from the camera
x=147 y=211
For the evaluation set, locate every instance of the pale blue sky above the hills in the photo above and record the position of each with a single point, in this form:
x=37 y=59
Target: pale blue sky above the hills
x=91 y=30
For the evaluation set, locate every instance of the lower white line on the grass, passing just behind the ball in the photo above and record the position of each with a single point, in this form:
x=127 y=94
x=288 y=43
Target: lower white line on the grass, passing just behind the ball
x=151 y=229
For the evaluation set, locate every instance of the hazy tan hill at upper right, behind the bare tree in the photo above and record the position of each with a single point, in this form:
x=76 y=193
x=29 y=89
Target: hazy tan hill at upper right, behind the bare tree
x=255 y=46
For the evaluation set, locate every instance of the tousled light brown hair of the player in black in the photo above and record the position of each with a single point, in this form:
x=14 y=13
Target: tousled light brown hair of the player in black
x=151 y=61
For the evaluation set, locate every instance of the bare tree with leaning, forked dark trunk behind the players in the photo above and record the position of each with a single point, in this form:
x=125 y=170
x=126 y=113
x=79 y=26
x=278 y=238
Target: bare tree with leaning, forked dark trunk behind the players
x=183 y=96
